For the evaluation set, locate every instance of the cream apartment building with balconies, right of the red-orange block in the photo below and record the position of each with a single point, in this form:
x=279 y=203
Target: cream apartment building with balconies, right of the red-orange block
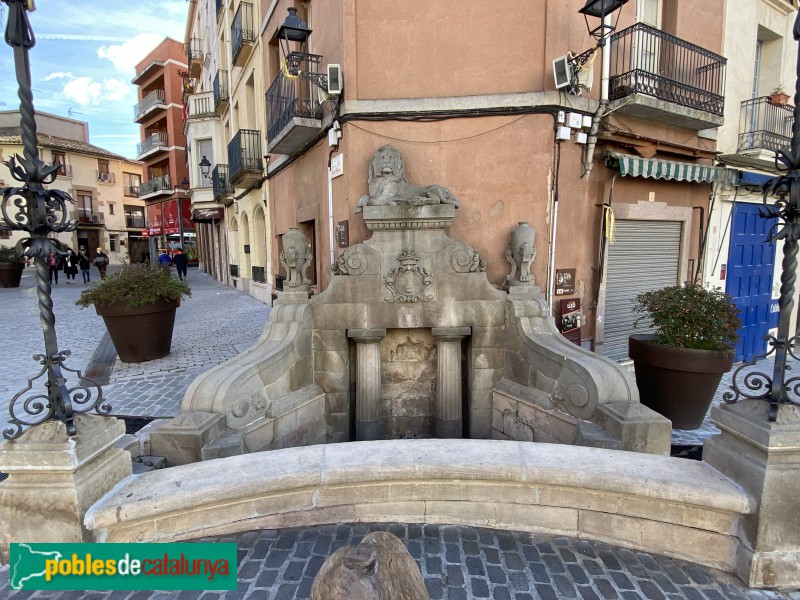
x=225 y=121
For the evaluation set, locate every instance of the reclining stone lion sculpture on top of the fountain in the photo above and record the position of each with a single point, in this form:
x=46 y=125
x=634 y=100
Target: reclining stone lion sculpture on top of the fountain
x=388 y=184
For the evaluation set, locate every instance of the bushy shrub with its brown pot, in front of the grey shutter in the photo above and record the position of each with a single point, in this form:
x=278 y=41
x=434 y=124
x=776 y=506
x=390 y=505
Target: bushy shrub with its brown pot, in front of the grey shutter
x=679 y=366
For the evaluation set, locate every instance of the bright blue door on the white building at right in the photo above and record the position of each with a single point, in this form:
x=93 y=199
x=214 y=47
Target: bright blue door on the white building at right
x=751 y=265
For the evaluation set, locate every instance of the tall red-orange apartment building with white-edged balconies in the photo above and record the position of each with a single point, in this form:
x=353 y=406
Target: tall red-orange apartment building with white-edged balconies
x=160 y=79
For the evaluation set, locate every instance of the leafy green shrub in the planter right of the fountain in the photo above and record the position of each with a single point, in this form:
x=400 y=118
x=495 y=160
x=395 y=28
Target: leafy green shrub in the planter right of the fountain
x=690 y=316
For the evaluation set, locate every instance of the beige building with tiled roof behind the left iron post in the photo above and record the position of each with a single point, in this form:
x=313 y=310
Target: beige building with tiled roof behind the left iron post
x=105 y=186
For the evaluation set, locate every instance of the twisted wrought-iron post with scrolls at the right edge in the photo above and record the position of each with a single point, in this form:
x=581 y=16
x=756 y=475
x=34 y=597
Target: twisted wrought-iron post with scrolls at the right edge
x=786 y=188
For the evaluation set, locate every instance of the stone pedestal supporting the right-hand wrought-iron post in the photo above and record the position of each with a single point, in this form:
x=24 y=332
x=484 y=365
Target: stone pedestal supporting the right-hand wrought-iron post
x=764 y=458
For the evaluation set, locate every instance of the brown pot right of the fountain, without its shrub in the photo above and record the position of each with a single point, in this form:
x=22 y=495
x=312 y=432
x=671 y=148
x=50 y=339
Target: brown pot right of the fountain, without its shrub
x=678 y=383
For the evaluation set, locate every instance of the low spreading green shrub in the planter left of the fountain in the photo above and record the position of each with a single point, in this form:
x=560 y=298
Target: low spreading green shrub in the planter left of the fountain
x=136 y=286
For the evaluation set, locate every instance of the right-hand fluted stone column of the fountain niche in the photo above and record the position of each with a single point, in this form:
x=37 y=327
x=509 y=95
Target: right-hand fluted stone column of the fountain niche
x=449 y=398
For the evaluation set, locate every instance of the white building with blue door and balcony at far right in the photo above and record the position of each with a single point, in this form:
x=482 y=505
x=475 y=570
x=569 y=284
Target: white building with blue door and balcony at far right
x=759 y=114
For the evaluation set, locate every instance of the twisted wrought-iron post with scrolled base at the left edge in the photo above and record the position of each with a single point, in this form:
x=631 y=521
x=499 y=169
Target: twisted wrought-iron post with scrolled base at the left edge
x=39 y=212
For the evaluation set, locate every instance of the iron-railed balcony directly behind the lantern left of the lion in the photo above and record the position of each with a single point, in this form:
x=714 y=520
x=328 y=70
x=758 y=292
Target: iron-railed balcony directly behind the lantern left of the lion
x=294 y=113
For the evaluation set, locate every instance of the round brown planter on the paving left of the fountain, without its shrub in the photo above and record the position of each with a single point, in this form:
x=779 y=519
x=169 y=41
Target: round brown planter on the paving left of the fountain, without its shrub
x=140 y=334
